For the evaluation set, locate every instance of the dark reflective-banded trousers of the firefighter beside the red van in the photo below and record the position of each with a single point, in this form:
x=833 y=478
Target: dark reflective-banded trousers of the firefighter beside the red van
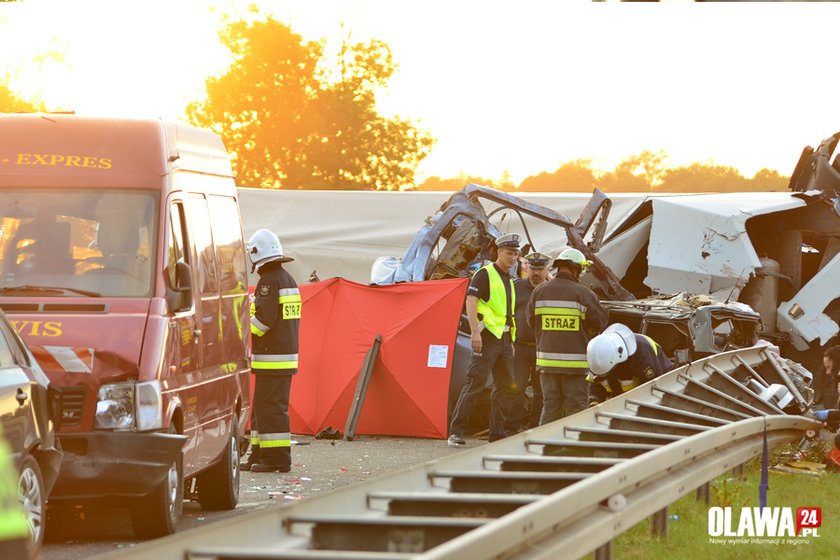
x=270 y=425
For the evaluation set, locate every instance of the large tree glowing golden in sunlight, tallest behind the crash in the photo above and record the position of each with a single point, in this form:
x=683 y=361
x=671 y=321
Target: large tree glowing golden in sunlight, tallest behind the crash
x=288 y=125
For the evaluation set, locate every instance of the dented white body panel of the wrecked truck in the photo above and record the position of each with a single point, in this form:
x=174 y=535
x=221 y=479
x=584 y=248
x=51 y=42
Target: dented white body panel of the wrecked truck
x=699 y=243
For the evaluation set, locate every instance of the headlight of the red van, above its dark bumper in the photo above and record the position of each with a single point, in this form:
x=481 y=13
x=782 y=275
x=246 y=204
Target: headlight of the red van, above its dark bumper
x=126 y=406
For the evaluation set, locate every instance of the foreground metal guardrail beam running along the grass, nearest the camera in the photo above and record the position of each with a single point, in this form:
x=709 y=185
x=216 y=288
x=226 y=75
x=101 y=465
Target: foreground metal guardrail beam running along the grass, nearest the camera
x=589 y=514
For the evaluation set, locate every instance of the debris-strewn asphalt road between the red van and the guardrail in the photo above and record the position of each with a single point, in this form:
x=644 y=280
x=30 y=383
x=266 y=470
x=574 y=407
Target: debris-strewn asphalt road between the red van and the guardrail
x=318 y=466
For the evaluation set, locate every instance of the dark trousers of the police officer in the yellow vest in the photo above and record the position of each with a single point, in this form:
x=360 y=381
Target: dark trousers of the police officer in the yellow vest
x=496 y=358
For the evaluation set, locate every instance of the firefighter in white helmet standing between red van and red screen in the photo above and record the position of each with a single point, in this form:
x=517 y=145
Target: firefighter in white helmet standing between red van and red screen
x=275 y=318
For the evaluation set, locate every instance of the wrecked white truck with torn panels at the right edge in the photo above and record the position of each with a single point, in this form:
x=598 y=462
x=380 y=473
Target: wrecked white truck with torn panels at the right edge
x=776 y=252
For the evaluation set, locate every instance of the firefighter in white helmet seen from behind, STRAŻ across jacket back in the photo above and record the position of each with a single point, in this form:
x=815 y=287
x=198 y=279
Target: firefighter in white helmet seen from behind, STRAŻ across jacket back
x=565 y=315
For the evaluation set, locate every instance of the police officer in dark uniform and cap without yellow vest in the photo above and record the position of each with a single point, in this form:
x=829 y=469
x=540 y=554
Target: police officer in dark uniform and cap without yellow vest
x=524 y=356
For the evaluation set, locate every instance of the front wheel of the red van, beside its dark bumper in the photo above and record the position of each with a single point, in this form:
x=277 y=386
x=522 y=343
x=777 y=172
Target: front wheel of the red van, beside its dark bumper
x=158 y=513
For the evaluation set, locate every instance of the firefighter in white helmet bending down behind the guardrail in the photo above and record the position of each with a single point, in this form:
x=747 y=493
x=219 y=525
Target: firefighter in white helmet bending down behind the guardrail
x=620 y=360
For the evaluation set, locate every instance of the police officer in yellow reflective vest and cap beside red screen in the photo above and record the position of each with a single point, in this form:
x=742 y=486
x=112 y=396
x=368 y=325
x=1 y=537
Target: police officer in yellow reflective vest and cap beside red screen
x=490 y=305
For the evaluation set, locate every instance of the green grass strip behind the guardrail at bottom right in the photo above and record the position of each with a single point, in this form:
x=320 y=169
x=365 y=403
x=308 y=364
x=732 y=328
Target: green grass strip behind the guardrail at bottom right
x=688 y=518
